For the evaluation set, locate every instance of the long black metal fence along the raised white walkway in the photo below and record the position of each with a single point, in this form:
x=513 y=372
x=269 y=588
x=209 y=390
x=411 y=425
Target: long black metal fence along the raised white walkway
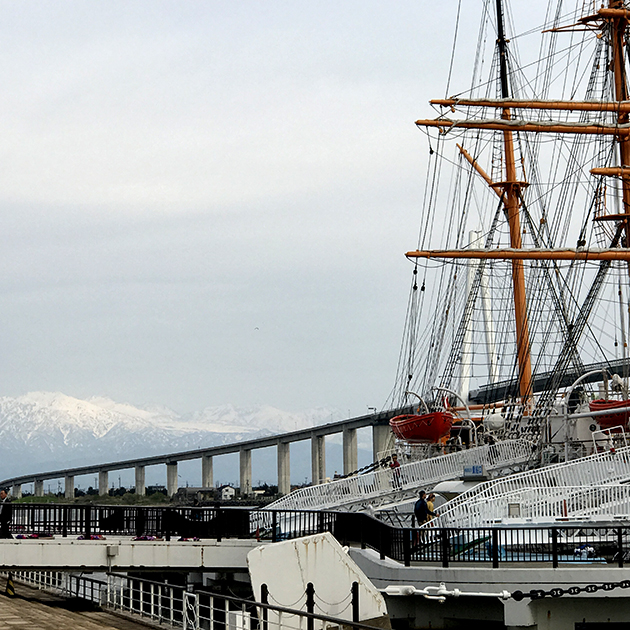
x=493 y=545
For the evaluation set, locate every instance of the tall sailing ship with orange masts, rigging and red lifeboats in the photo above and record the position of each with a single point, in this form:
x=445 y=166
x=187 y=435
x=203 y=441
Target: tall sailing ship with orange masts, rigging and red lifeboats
x=518 y=318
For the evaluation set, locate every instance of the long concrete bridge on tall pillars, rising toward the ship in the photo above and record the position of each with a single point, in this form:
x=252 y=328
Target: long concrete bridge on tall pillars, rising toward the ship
x=379 y=422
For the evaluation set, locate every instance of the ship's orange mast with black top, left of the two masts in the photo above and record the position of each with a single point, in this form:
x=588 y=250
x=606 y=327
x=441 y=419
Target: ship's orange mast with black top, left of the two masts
x=511 y=195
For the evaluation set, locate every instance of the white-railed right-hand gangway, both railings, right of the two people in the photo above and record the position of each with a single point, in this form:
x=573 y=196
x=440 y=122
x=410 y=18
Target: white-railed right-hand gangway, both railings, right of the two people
x=575 y=488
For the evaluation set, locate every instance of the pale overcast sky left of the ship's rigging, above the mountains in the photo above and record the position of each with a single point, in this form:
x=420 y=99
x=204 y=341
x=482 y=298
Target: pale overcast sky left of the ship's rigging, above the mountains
x=208 y=202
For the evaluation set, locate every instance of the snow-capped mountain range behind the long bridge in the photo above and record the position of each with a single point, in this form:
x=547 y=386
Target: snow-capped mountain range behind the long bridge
x=42 y=430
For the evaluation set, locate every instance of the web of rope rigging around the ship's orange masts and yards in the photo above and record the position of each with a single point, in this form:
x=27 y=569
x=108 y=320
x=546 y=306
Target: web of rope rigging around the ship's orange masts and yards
x=558 y=202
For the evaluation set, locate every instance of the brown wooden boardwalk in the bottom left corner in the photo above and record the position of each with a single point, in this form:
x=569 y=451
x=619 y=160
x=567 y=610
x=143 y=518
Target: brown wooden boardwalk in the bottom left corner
x=37 y=610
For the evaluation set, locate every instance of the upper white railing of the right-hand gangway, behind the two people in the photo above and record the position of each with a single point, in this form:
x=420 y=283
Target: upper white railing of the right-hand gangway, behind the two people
x=478 y=504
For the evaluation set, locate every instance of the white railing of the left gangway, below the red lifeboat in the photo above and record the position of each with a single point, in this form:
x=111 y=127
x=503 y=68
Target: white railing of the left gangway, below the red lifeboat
x=409 y=477
